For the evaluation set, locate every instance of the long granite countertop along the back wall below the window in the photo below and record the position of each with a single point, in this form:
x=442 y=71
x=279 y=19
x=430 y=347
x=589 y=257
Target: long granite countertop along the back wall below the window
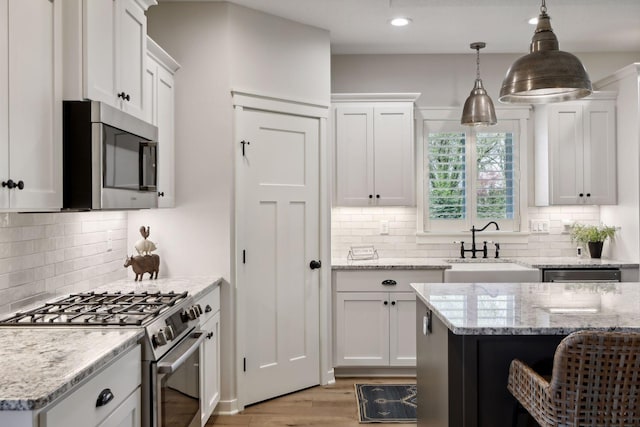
x=445 y=263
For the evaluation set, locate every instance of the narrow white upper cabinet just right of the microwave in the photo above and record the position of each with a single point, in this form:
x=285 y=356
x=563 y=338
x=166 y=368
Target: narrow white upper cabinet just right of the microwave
x=159 y=94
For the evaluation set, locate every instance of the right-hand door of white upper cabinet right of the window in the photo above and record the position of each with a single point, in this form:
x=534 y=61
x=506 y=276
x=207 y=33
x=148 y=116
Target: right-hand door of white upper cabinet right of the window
x=599 y=153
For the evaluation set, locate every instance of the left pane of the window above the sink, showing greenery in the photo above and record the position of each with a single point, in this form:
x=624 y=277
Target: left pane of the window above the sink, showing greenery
x=447 y=177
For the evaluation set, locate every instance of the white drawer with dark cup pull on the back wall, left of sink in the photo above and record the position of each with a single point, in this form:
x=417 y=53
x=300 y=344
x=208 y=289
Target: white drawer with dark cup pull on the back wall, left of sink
x=371 y=280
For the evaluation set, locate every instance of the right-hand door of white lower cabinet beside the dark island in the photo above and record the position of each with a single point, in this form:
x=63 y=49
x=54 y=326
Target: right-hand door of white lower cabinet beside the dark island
x=402 y=329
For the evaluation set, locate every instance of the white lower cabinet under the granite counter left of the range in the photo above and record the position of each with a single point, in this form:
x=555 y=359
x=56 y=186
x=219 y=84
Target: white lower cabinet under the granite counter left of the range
x=117 y=386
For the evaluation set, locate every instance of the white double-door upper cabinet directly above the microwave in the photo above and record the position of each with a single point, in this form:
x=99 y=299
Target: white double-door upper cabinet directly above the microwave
x=105 y=52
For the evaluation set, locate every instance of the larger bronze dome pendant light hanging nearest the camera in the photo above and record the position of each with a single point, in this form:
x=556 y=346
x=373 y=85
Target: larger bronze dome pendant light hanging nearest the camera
x=546 y=74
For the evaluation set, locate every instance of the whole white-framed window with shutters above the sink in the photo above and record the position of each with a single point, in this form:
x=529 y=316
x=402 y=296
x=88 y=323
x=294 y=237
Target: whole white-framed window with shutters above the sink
x=471 y=175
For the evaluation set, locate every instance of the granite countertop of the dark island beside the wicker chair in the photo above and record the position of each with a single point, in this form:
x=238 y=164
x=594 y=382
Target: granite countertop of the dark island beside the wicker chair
x=532 y=308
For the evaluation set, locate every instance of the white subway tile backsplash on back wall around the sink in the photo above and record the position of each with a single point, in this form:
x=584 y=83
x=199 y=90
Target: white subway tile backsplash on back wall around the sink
x=361 y=226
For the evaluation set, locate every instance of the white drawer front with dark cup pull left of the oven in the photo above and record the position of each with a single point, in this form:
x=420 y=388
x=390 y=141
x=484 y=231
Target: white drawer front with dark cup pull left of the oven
x=122 y=378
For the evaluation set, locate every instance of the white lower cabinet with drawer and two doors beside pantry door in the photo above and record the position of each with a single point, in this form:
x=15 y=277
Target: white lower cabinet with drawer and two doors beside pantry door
x=374 y=316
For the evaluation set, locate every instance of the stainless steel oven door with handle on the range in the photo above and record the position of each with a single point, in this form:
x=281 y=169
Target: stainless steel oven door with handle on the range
x=177 y=401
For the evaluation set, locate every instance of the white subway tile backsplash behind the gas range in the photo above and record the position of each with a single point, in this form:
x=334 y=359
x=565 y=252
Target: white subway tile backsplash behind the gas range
x=48 y=254
